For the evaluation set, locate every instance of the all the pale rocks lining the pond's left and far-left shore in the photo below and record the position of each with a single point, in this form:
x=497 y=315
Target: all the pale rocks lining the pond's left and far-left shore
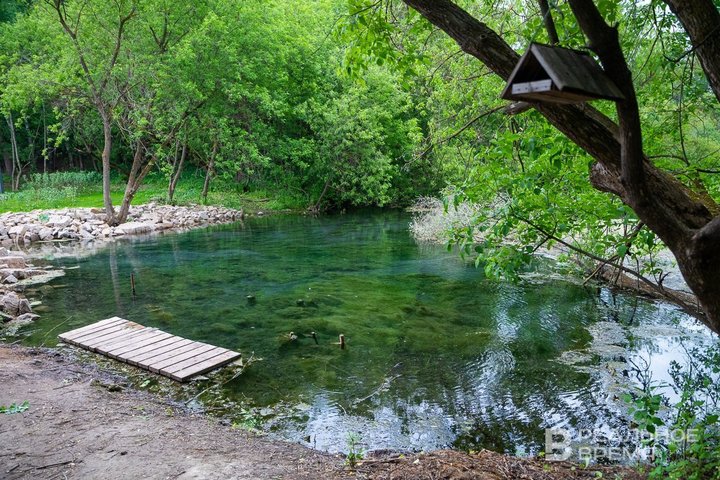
x=81 y=226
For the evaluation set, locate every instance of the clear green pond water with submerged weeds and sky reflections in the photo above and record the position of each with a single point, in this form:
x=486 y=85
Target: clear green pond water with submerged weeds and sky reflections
x=437 y=356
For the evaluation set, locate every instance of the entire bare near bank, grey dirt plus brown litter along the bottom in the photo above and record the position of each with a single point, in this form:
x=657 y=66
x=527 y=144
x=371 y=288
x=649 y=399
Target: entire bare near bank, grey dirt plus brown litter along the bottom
x=82 y=424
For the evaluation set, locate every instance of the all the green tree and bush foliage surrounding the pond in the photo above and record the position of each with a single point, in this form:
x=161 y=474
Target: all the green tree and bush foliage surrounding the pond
x=343 y=103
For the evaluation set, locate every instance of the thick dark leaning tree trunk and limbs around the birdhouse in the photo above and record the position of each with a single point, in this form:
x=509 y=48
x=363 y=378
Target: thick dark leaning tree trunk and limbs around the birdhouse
x=685 y=221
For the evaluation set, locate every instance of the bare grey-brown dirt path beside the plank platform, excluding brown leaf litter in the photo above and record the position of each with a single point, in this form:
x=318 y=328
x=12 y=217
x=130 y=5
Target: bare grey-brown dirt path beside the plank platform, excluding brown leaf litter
x=75 y=428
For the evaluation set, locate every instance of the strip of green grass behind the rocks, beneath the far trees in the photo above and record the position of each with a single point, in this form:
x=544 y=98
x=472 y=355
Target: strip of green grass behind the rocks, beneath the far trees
x=84 y=189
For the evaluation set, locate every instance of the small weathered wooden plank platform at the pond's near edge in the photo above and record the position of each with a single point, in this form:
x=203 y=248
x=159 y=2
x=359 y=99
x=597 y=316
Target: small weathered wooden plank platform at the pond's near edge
x=149 y=348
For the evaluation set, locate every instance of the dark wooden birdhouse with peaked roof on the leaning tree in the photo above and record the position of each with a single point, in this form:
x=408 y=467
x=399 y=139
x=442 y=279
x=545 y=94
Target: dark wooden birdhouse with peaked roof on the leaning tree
x=558 y=75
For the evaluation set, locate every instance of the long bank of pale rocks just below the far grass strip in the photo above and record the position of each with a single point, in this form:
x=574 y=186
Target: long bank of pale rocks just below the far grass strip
x=88 y=224
